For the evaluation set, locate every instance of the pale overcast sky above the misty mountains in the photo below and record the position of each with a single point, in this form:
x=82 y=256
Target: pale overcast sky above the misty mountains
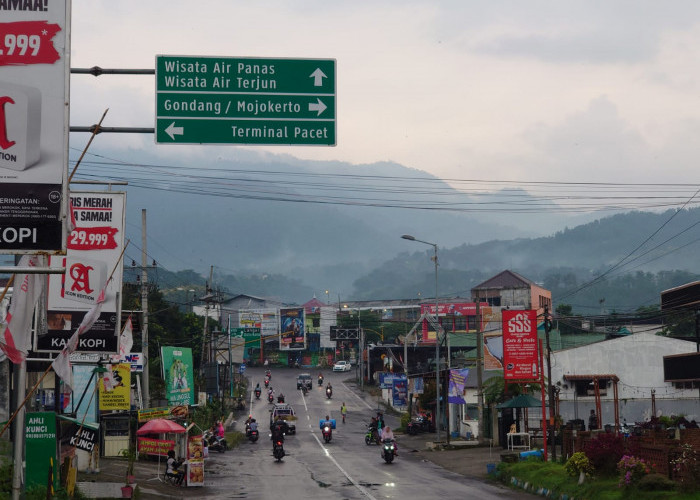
x=502 y=90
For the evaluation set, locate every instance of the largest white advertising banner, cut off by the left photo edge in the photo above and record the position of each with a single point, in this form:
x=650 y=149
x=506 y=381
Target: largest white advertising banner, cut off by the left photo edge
x=34 y=109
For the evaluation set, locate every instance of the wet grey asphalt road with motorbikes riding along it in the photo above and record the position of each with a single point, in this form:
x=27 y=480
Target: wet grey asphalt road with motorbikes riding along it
x=345 y=468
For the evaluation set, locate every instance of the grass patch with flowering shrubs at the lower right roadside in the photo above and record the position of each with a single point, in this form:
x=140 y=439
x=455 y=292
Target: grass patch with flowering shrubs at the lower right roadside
x=554 y=477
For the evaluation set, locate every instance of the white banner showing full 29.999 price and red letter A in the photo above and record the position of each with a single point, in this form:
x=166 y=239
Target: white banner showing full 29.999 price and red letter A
x=94 y=250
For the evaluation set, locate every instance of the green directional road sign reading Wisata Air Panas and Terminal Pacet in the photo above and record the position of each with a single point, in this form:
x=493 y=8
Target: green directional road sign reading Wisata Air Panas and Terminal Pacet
x=239 y=100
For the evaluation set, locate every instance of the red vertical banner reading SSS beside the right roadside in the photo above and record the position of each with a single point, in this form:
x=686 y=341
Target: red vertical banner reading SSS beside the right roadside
x=519 y=345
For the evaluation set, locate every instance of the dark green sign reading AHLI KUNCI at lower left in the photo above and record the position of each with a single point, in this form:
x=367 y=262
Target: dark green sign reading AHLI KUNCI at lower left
x=40 y=448
